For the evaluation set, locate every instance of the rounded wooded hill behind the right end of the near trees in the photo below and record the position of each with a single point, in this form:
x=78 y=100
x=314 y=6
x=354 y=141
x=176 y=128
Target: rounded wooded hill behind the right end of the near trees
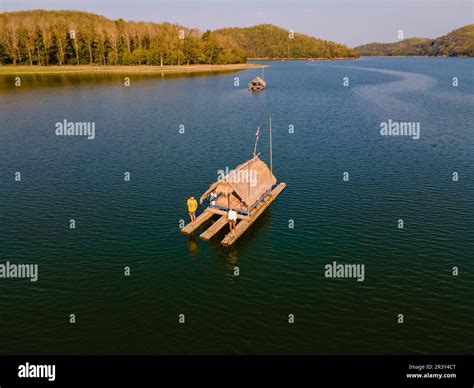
x=269 y=41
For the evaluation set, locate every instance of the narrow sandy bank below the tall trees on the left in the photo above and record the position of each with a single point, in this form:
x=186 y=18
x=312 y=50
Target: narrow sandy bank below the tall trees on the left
x=133 y=69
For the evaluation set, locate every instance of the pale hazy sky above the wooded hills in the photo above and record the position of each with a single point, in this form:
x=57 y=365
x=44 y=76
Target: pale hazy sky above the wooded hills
x=352 y=22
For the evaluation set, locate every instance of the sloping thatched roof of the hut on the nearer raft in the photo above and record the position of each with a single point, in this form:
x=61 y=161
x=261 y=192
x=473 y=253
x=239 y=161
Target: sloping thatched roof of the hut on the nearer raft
x=247 y=182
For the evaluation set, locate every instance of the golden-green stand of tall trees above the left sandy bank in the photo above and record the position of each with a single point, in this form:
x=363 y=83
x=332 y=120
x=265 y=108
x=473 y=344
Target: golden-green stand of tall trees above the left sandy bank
x=73 y=37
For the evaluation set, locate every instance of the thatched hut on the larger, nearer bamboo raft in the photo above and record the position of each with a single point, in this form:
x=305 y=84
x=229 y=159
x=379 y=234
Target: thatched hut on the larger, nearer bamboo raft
x=243 y=188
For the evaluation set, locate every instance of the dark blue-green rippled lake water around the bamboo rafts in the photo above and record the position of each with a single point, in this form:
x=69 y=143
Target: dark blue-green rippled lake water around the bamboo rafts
x=408 y=271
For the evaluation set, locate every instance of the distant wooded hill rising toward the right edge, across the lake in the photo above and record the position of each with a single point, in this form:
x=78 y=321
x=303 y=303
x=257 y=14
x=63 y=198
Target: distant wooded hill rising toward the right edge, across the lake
x=459 y=42
